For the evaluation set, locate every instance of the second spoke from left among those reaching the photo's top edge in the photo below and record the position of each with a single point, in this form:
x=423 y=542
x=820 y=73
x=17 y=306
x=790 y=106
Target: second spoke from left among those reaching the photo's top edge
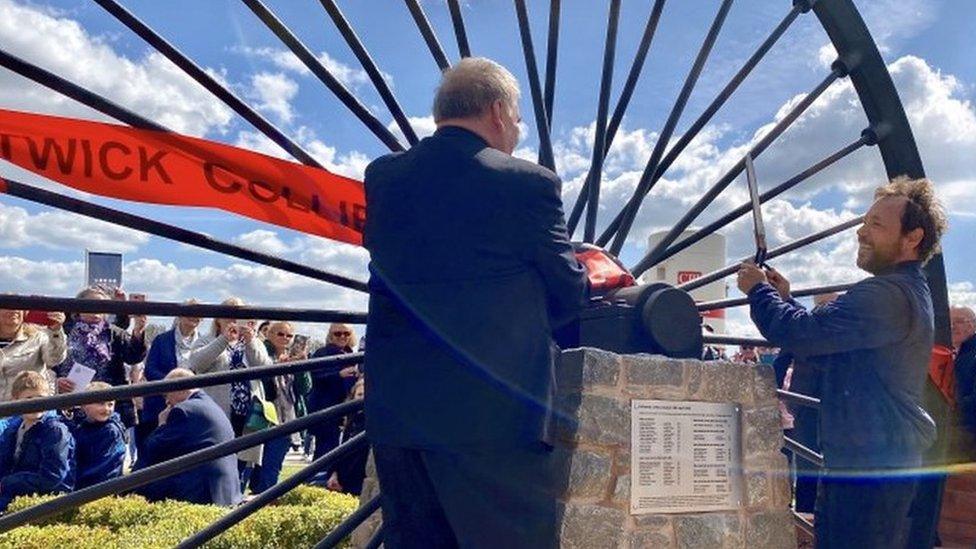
x=318 y=69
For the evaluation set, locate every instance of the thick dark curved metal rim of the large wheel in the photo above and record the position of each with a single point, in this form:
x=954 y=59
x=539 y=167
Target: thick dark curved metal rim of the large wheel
x=883 y=107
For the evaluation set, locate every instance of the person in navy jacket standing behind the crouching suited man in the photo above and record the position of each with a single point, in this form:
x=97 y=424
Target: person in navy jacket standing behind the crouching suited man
x=169 y=350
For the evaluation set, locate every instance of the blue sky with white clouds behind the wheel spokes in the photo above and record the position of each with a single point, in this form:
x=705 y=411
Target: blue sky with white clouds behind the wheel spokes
x=925 y=42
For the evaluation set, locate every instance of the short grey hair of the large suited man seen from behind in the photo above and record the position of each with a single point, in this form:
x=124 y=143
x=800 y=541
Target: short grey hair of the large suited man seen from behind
x=470 y=87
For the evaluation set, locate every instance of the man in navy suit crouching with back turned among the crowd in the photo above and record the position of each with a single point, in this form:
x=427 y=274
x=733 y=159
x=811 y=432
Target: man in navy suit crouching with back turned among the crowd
x=191 y=421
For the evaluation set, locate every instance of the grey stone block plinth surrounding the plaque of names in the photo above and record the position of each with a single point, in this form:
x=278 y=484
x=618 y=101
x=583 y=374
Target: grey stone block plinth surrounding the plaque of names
x=592 y=454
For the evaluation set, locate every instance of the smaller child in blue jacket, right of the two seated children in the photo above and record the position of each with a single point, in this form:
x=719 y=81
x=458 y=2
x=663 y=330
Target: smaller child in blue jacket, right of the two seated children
x=99 y=441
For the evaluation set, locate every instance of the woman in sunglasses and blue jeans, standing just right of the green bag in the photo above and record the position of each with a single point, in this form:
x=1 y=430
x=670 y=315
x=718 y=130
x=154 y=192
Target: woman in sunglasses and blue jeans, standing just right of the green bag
x=286 y=393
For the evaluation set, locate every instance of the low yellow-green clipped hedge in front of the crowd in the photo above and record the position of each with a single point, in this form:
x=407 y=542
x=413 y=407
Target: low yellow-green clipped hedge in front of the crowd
x=299 y=519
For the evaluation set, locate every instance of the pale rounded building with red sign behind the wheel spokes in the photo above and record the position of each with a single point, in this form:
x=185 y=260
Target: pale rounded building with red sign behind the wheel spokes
x=704 y=257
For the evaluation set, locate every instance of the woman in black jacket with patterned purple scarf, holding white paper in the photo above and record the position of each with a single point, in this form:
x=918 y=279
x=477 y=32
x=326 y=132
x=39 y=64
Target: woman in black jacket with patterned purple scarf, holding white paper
x=106 y=348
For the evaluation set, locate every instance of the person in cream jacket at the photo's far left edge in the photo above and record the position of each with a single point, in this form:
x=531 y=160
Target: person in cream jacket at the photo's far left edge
x=26 y=346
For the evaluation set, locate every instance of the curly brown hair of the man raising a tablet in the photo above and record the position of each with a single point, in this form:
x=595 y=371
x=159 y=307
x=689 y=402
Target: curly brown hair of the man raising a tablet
x=922 y=211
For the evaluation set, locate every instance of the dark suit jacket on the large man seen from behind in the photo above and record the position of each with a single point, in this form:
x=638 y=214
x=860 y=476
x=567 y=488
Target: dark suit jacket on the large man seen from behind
x=471 y=268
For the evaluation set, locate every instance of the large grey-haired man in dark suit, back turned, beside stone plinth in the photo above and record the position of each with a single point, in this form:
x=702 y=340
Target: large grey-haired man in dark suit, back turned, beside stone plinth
x=471 y=269
